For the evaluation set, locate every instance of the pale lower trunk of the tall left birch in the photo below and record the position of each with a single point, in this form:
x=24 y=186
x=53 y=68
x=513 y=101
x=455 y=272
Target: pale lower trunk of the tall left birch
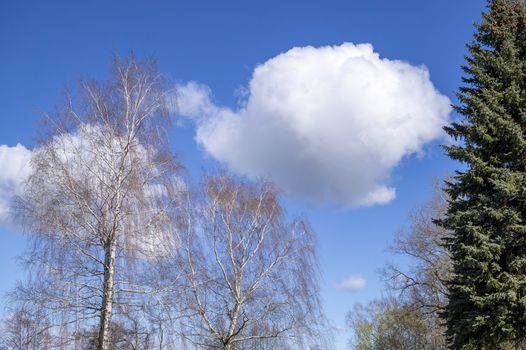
x=107 y=298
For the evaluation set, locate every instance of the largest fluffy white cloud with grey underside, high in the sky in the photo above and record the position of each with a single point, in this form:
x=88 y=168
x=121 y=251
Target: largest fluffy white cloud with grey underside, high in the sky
x=327 y=124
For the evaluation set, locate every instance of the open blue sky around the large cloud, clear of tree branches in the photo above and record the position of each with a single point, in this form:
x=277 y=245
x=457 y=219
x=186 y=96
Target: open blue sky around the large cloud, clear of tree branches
x=48 y=45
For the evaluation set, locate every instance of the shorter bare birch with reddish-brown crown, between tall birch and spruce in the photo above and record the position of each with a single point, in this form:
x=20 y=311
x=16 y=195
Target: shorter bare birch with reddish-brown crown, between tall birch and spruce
x=248 y=274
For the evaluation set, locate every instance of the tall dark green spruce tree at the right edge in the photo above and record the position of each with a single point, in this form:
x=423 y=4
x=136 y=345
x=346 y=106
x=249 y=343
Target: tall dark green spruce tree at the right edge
x=487 y=211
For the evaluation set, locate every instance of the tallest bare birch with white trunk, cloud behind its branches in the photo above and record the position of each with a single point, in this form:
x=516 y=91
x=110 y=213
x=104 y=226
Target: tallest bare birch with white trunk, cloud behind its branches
x=97 y=200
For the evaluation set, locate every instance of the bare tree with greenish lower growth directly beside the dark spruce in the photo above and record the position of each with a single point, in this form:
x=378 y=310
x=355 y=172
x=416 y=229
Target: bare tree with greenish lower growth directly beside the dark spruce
x=409 y=317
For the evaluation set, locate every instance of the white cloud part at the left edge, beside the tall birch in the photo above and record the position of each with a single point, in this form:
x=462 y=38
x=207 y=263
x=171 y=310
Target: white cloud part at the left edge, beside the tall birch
x=14 y=170
